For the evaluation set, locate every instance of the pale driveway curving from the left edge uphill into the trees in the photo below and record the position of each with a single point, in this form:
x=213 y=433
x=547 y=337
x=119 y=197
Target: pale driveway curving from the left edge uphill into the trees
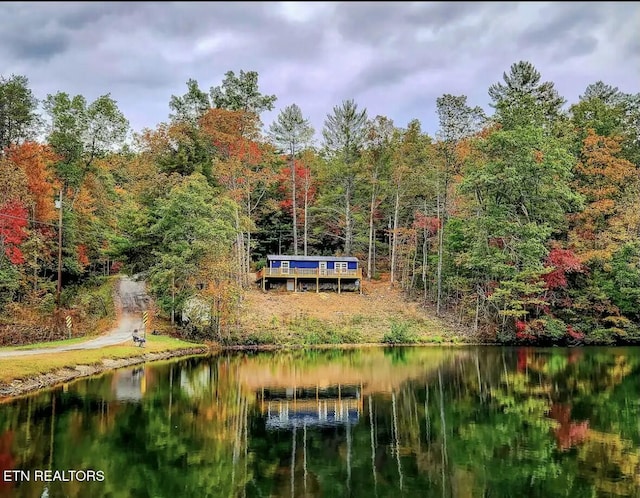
x=133 y=301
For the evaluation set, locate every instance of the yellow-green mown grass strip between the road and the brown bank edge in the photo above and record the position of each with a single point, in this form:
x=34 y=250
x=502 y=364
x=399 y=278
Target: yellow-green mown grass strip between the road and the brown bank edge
x=21 y=367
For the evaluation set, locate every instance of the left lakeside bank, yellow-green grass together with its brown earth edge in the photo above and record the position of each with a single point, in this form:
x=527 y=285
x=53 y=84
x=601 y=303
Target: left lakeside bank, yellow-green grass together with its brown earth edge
x=19 y=374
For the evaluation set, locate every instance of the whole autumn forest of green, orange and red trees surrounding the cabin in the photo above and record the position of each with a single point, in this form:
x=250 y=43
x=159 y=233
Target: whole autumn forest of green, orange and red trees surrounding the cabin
x=523 y=224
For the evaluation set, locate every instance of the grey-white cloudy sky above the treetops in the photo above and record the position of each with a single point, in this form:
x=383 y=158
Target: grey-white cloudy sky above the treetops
x=392 y=58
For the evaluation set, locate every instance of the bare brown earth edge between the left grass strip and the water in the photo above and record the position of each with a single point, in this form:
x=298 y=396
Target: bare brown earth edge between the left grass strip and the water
x=19 y=387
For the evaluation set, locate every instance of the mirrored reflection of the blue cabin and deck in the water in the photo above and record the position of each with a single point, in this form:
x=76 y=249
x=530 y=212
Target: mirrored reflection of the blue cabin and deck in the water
x=306 y=406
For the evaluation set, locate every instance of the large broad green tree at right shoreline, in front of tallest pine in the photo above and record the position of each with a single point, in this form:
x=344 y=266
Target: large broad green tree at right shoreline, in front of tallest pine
x=520 y=197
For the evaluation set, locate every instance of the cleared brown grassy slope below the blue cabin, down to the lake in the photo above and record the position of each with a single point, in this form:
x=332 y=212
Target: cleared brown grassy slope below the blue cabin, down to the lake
x=310 y=317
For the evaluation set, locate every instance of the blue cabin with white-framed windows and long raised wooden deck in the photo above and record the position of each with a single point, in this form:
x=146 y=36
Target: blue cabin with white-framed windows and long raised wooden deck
x=310 y=273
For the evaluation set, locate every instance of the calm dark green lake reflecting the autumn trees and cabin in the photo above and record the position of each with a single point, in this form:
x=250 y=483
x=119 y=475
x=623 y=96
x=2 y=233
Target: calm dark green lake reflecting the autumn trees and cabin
x=374 y=422
